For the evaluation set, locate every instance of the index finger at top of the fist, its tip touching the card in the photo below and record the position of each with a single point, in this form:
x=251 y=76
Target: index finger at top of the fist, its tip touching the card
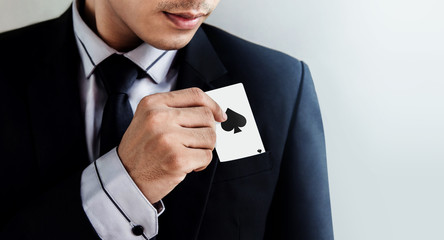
x=191 y=97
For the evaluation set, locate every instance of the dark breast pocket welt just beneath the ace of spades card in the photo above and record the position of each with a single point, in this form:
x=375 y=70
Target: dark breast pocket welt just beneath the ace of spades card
x=243 y=167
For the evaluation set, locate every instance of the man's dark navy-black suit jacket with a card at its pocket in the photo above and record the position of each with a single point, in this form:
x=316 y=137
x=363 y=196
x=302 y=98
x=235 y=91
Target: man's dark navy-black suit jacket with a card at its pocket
x=281 y=194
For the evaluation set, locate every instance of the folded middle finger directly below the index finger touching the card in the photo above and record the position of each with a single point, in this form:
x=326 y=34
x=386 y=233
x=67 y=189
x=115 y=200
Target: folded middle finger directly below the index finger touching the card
x=195 y=117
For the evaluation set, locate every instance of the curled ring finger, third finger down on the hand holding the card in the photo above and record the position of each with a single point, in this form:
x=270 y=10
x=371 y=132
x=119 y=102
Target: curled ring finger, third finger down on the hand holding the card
x=199 y=138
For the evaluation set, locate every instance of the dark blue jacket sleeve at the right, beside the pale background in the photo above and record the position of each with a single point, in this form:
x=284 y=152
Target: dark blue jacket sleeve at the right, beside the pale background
x=301 y=205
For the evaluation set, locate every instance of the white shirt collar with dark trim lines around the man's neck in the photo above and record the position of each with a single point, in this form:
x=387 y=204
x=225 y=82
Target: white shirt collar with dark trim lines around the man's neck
x=93 y=50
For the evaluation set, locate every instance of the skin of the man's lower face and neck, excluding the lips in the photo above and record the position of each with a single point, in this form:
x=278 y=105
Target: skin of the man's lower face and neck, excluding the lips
x=123 y=25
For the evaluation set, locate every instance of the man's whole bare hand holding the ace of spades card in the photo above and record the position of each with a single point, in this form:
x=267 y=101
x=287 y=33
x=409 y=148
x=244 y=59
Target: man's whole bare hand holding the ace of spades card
x=170 y=135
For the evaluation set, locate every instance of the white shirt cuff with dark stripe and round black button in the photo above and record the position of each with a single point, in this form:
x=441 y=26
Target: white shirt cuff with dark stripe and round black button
x=115 y=206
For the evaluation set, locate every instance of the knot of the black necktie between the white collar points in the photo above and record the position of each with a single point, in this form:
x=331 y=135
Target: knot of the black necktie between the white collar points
x=117 y=73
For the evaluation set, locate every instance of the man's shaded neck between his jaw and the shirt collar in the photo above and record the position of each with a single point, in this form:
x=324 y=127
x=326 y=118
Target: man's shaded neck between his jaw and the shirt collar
x=101 y=18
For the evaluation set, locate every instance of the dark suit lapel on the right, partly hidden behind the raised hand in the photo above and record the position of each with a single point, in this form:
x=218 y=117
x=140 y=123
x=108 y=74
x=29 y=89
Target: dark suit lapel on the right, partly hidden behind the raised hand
x=185 y=205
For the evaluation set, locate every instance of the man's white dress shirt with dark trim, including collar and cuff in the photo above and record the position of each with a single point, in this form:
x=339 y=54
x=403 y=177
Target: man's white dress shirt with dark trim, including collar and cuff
x=116 y=207
